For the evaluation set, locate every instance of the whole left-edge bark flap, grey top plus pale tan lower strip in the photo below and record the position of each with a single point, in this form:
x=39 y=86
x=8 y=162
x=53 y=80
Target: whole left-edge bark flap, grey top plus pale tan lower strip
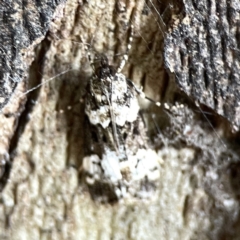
x=24 y=24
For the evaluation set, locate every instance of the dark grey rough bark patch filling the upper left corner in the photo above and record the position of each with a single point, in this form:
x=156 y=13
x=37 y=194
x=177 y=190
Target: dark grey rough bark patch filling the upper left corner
x=23 y=25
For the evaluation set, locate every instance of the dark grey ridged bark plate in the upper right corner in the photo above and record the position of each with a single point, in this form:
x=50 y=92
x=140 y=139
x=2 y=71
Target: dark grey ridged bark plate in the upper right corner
x=203 y=51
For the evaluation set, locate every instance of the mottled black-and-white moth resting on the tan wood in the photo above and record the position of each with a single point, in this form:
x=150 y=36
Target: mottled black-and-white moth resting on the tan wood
x=119 y=163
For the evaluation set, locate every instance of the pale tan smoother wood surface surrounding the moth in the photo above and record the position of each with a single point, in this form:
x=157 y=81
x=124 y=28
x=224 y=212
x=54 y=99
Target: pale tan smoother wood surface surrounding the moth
x=198 y=196
